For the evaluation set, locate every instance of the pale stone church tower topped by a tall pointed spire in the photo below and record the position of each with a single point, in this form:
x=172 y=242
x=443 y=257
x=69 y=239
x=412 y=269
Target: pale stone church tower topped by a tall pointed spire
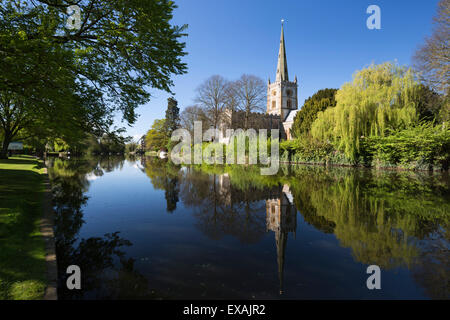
x=282 y=94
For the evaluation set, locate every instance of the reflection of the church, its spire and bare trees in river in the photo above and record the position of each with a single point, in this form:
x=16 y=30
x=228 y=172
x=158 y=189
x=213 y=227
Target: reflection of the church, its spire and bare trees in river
x=222 y=208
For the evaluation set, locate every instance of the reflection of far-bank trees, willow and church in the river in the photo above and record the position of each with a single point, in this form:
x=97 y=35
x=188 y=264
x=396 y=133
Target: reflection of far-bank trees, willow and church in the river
x=388 y=218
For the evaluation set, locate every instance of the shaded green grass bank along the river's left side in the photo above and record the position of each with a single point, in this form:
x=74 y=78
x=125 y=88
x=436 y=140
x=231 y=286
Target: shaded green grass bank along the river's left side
x=22 y=248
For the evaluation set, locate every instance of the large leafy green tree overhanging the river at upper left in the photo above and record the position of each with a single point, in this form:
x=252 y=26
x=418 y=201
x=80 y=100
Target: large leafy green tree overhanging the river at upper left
x=121 y=49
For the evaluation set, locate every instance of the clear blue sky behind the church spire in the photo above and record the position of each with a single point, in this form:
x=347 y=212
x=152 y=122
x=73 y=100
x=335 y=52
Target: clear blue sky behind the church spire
x=326 y=42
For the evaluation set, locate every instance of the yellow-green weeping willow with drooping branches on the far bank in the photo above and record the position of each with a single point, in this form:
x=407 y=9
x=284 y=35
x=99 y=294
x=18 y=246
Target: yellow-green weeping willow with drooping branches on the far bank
x=380 y=97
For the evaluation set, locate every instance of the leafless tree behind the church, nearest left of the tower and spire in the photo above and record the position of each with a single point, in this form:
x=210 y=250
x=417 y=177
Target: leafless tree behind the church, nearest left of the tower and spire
x=250 y=92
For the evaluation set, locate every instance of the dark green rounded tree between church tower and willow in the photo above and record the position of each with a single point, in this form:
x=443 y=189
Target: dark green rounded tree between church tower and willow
x=321 y=100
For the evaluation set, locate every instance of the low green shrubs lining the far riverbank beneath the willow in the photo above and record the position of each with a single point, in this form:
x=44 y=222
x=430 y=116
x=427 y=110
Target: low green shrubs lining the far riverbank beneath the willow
x=424 y=147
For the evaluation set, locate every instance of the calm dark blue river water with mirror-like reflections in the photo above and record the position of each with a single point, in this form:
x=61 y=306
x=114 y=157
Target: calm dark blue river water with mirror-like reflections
x=147 y=229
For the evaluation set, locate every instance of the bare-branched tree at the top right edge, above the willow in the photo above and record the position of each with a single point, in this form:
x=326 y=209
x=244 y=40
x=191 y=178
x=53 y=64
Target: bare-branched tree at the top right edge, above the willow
x=432 y=60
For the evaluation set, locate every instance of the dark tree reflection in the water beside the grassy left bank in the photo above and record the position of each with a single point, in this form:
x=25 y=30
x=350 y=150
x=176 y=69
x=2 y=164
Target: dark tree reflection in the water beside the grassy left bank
x=101 y=277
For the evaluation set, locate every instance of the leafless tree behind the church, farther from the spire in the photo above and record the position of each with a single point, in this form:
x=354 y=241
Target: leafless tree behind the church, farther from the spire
x=213 y=95
